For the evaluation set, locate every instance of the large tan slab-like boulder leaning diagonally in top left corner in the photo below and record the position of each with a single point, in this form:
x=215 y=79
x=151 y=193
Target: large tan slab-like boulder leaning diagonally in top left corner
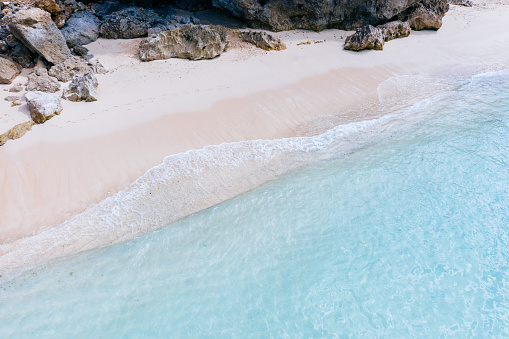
x=39 y=33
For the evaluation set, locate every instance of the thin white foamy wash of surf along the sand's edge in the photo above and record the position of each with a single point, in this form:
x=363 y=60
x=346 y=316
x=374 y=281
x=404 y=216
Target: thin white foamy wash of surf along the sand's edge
x=198 y=179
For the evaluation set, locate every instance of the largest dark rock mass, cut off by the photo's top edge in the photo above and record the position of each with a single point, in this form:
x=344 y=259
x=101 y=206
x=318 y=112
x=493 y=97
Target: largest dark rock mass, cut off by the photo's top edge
x=313 y=14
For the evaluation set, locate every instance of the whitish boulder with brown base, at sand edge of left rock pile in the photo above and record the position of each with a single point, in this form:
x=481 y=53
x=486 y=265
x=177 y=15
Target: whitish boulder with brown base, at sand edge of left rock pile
x=43 y=106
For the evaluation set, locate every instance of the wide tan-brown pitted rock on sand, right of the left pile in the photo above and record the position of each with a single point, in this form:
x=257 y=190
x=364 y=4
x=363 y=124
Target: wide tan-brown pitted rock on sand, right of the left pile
x=187 y=42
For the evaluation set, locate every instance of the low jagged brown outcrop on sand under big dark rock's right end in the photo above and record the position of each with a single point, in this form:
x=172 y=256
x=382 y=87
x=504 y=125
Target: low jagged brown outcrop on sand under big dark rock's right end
x=369 y=37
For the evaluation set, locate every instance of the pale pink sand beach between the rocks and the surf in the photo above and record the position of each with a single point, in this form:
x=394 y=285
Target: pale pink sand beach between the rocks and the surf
x=147 y=111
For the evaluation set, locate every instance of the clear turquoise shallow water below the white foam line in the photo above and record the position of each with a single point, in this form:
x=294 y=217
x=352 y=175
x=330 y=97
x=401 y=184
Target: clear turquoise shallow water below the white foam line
x=409 y=237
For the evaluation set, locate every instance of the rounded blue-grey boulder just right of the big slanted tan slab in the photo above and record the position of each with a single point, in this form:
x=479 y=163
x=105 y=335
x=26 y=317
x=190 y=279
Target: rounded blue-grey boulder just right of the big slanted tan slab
x=81 y=28
